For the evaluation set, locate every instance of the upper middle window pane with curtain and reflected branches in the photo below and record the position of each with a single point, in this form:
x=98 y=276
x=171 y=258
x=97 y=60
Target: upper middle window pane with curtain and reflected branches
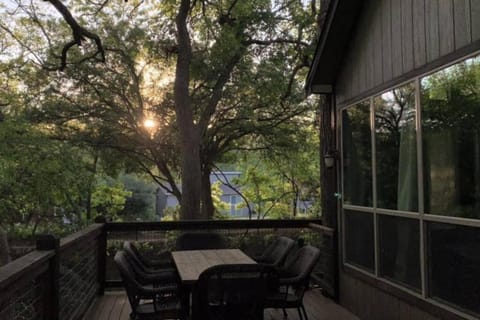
x=396 y=149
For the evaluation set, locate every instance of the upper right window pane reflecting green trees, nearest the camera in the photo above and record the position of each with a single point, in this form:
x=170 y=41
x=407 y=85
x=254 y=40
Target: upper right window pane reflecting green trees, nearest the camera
x=451 y=140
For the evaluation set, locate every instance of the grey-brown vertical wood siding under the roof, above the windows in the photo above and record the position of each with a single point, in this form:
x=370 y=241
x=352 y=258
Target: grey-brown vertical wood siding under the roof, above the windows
x=397 y=37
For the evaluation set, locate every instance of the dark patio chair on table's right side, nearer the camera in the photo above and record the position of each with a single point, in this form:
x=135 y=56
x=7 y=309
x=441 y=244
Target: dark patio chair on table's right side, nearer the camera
x=293 y=281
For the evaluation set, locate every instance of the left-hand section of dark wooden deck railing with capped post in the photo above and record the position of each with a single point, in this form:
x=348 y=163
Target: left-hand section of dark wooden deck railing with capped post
x=58 y=280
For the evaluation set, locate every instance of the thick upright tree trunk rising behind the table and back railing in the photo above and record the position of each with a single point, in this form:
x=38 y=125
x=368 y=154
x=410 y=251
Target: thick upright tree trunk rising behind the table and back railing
x=189 y=136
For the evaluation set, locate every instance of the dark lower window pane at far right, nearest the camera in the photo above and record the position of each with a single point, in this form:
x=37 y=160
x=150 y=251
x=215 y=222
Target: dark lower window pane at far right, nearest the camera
x=454 y=265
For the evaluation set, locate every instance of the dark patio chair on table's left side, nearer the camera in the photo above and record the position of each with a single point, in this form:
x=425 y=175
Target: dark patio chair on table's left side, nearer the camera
x=148 y=303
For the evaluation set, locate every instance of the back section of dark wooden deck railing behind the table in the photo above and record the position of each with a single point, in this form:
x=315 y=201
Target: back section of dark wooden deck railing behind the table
x=251 y=236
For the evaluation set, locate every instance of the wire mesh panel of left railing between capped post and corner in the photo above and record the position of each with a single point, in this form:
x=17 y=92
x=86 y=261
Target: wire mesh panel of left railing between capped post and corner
x=78 y=279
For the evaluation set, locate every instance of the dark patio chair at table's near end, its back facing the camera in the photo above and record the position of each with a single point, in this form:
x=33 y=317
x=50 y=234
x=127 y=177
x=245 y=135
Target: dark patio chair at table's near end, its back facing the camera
x=231 y=292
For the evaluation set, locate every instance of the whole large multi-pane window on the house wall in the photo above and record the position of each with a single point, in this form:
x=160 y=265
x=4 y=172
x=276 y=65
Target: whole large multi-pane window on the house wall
x=411 y=190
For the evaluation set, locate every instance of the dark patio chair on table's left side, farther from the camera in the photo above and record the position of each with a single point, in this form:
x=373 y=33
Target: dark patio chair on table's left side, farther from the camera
x=146 y=275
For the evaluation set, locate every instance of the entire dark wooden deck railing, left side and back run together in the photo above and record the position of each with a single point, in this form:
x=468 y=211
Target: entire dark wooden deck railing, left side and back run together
x=61 y=278
